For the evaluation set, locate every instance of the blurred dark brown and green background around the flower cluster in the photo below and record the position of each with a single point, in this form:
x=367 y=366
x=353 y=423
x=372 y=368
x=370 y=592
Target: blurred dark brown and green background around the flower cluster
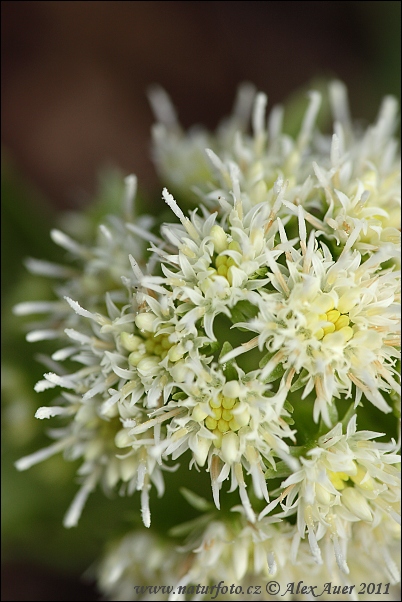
x=74 y=103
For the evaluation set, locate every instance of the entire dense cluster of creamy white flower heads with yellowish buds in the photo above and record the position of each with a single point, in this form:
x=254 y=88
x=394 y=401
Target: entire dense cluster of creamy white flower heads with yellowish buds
x=271 y=306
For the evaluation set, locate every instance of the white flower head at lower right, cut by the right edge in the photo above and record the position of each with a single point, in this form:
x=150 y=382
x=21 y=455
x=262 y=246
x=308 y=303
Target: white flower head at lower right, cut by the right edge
x=345 y=479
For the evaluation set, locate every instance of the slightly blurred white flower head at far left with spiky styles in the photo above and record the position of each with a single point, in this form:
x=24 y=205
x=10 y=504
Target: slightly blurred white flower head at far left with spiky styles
x=98 y=414
